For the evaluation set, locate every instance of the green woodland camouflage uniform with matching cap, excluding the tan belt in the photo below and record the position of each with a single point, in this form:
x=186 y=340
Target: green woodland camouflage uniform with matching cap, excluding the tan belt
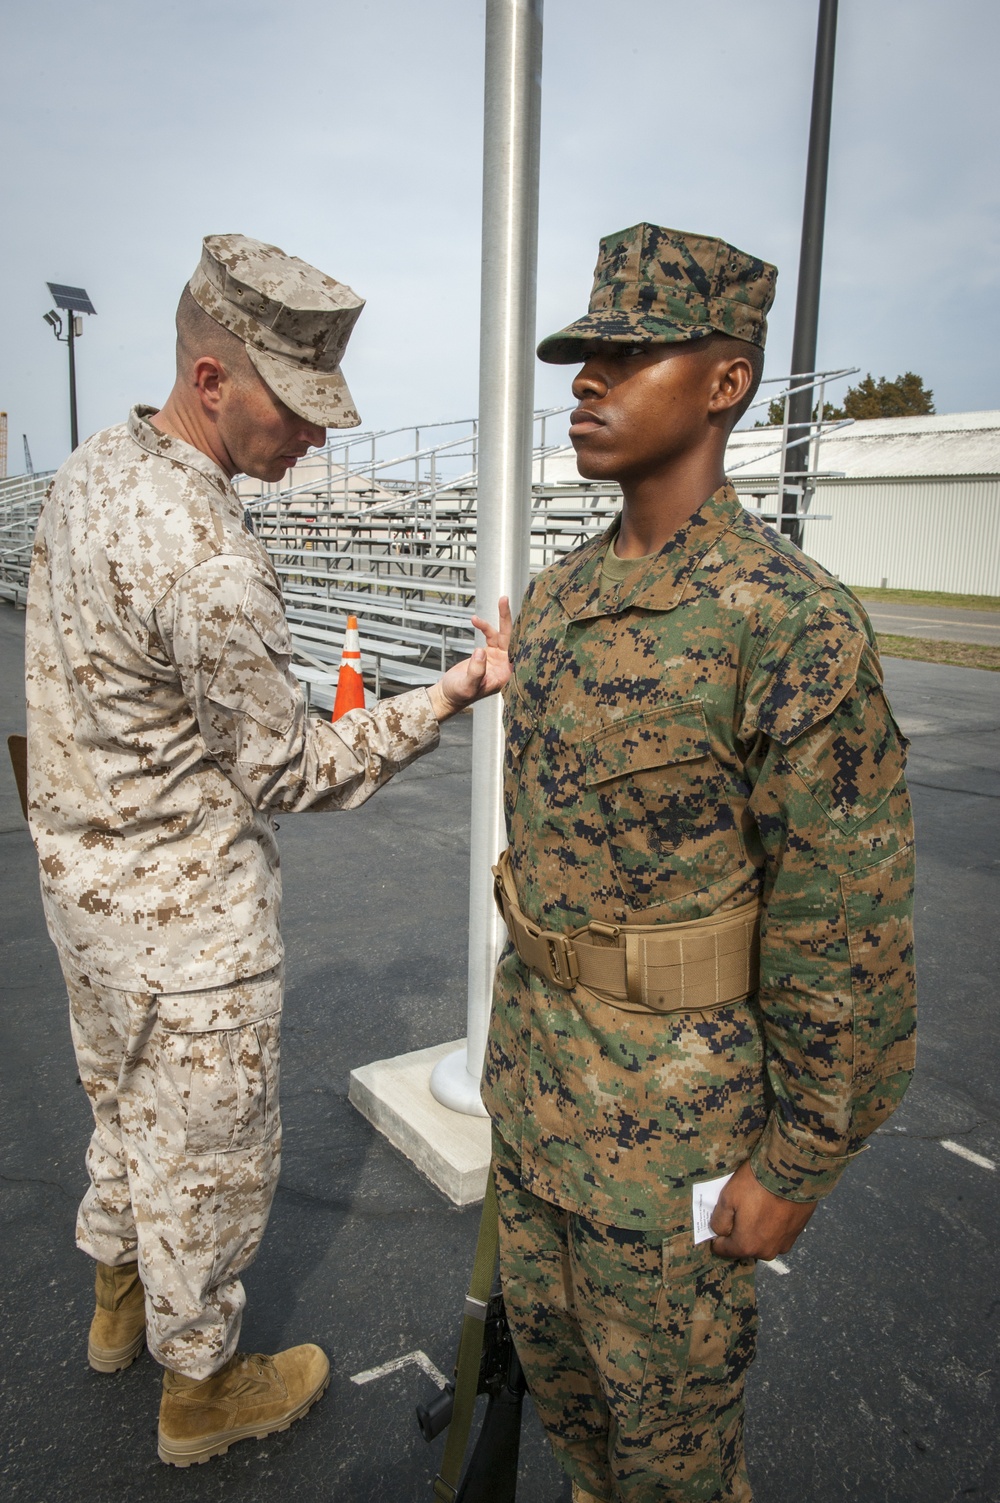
x=685 y=734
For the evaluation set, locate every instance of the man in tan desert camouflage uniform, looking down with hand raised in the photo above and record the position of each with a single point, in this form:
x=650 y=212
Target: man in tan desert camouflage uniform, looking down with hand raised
x=165 y=733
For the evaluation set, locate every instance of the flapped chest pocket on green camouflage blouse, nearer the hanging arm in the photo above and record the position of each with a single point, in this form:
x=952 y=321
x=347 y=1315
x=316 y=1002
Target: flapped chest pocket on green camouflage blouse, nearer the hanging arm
x=668 y=814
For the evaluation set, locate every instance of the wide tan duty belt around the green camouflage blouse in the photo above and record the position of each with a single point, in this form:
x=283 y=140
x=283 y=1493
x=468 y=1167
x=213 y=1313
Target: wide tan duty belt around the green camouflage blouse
x=658 y=969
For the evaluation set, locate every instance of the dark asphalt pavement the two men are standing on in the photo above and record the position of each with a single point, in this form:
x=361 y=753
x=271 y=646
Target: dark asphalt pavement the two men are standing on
x=877 y=1370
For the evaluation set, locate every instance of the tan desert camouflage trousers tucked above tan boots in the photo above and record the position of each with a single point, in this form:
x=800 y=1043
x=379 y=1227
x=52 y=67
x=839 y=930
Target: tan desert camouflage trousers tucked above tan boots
x=186 y=1151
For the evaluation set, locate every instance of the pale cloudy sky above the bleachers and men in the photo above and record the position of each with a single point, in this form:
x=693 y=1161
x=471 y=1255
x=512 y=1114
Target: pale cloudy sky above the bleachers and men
x=351 y=135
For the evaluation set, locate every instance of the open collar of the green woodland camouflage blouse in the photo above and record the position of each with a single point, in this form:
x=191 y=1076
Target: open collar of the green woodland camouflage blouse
x=661 y=585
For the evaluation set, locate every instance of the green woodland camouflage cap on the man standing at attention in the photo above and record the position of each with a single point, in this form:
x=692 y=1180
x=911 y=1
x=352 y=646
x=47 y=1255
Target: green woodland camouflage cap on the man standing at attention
x=656 y=286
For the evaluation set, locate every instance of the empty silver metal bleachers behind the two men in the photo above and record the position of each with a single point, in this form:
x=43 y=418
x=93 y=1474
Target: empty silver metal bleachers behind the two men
x=383 y=527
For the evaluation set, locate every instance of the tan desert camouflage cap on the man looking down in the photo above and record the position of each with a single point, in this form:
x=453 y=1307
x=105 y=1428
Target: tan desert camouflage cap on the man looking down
x=292 y=318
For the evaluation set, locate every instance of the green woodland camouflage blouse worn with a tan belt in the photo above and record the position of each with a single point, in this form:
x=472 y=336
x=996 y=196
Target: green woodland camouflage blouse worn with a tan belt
x=709 y=730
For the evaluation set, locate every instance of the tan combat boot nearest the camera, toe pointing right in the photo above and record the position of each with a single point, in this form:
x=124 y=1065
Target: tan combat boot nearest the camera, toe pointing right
x=250 y=1397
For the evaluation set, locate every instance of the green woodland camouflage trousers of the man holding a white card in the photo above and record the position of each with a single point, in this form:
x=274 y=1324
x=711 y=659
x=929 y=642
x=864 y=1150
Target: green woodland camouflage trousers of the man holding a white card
x=635 y=1347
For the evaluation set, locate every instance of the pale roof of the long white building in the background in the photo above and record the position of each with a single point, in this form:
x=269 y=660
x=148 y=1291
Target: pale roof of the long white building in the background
x=877 y=449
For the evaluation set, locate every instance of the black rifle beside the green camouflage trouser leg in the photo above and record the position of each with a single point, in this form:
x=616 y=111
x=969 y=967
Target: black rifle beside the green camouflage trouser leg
x=492 y=1472
